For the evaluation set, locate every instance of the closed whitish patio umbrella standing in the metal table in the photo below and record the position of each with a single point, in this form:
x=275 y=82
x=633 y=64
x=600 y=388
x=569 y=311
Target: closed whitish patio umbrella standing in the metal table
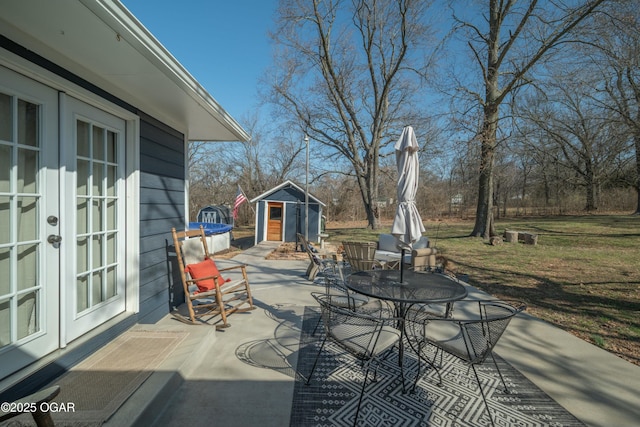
x=407 y=224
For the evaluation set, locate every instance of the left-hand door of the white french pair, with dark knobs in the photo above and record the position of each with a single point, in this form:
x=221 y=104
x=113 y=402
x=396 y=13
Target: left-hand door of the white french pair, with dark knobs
x=29 y=185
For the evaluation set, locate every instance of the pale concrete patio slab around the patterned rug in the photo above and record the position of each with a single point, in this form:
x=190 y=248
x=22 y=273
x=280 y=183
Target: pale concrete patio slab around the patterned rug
x=244 y=375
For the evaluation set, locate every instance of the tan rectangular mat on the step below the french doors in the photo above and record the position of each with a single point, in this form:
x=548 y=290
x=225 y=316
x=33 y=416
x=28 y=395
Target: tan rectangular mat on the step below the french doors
x=100 y=384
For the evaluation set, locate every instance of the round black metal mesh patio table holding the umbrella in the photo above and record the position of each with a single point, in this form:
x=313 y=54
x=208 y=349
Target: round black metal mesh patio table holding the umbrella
x=415 y=288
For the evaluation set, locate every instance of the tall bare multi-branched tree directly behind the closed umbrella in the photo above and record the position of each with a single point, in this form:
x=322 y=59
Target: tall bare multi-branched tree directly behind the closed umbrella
x=348 y=73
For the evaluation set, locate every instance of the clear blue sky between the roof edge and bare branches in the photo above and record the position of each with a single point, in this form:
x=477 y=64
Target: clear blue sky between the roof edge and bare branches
x=223 y=44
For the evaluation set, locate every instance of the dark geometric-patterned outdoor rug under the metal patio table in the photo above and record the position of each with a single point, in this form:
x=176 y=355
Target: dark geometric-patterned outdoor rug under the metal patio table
x=332 y=396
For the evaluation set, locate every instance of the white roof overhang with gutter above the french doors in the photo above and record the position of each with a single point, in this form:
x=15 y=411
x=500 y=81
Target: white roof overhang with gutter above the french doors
x=102 y=42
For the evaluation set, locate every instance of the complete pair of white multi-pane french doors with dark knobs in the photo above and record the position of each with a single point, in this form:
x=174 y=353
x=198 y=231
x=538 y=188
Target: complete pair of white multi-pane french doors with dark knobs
x=62 y=219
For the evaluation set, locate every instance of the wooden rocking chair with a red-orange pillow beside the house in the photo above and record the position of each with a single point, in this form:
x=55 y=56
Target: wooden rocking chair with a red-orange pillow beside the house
x=206 y=292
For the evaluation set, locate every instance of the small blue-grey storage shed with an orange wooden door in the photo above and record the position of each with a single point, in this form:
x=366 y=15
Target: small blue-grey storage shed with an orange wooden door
x=280 y=214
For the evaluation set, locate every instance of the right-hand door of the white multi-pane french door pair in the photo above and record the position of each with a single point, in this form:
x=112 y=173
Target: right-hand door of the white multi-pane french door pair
x=93 y=285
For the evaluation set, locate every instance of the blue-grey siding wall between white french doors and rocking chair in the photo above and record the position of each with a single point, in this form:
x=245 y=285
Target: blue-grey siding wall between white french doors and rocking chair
x=162 y=206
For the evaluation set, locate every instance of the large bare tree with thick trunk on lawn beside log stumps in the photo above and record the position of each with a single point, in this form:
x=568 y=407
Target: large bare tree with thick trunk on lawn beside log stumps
x=510 y=39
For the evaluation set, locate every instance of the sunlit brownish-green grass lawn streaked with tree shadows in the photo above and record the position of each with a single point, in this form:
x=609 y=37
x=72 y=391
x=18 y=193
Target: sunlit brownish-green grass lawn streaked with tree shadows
x=583 y=275
